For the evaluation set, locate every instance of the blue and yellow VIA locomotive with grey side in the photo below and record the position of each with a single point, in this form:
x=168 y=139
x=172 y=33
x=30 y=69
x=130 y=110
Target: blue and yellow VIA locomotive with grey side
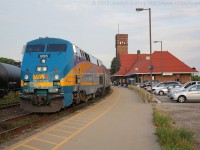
x=55 y=73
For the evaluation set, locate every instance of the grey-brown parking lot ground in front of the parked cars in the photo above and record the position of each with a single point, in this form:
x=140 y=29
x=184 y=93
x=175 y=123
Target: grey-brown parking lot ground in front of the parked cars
x=185 y=115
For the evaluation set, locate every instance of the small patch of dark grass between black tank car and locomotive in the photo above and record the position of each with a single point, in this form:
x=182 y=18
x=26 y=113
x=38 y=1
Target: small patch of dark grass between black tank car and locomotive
x=12 y=97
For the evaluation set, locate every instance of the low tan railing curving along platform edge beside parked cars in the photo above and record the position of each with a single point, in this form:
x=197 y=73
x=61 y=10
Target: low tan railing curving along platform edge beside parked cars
x=146 y=96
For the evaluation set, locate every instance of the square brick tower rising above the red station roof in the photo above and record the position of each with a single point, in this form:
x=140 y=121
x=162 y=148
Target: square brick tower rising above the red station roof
x=121 y=44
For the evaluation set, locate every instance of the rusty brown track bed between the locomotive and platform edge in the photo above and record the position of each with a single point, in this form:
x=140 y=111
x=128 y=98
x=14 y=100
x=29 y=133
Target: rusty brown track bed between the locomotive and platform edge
x=14 y=127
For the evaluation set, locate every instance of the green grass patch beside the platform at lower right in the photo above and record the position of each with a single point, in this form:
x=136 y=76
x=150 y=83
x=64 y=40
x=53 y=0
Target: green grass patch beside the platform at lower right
x=172 y=138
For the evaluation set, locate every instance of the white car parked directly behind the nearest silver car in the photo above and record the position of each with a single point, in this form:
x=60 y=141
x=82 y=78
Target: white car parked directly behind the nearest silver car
x=186 y=85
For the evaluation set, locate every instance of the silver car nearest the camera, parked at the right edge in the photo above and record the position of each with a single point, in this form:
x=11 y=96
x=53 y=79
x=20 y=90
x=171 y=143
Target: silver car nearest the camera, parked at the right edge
x=190 y=93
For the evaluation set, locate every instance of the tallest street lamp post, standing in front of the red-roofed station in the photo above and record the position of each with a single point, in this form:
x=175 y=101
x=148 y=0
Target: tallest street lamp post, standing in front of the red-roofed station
x=150 y=67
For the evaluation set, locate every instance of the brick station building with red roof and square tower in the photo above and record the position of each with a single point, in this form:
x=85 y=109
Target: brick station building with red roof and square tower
x=135 y=67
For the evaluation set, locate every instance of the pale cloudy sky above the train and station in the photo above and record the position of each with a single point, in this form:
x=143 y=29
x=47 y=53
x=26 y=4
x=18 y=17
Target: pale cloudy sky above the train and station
x=93 y=24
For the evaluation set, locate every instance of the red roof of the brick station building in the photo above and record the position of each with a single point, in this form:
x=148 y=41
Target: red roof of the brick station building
x=163 y=62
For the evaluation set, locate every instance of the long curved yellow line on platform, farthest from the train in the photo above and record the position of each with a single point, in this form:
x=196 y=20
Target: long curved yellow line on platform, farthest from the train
x=83 y=128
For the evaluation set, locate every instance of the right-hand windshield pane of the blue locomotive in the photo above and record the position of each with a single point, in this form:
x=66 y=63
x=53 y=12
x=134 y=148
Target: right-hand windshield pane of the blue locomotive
x=56 y=47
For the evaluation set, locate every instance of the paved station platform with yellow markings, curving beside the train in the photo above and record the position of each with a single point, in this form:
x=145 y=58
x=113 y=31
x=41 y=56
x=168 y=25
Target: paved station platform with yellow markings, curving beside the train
x=119 y=122
